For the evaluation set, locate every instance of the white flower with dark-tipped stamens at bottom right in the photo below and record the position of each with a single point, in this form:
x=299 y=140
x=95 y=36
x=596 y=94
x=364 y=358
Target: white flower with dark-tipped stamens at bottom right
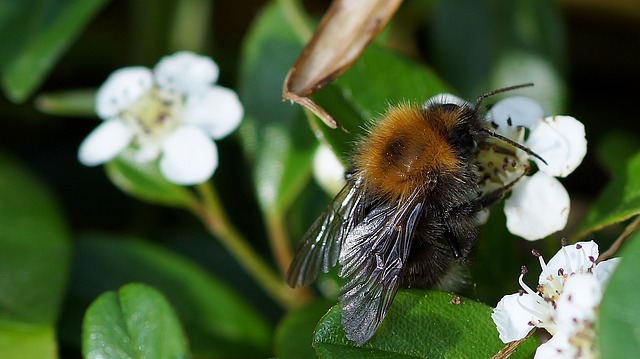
x=564 y=303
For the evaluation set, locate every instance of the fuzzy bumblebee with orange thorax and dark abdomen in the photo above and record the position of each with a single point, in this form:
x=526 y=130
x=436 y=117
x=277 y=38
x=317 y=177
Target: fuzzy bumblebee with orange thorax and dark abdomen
x=407 y=216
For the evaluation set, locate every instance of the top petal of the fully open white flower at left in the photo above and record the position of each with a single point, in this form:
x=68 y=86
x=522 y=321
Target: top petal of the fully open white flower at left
x=186 y=72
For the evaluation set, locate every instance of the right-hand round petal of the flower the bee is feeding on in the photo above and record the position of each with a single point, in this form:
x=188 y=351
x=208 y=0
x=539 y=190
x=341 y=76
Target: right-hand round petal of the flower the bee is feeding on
x=561 y=141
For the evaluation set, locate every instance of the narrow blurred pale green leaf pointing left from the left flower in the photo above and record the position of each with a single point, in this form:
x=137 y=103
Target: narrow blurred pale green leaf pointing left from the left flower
x=76 y=103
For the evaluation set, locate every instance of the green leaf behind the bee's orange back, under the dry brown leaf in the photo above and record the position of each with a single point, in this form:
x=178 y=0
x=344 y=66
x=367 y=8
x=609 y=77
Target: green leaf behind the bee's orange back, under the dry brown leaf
x=365 y=91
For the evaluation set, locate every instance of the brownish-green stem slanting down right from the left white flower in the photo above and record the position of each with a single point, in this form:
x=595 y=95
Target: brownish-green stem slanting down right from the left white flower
x=218 y=224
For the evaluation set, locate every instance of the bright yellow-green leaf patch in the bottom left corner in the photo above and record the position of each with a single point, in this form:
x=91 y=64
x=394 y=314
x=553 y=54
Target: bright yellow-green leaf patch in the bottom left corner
x=28 y=342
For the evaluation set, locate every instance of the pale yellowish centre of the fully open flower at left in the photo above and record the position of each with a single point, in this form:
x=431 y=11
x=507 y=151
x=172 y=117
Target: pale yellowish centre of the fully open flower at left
x=153 y=116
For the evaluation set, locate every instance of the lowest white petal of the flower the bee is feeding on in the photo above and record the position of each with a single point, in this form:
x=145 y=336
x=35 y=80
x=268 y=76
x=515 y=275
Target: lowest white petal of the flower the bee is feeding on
x=537 y=207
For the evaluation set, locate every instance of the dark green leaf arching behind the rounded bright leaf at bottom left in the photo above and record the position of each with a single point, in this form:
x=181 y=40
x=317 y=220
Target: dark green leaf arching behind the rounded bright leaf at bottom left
x=218 y=322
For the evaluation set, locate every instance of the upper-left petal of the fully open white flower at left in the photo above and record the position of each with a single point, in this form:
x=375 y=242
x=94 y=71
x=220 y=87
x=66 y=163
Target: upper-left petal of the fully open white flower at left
x=122 y=88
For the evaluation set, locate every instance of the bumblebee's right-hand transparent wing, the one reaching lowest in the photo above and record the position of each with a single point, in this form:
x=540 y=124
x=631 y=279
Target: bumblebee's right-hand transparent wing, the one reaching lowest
x=373 y=257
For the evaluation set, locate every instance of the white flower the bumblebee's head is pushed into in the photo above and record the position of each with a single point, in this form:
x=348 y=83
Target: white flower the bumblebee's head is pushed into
x=539 y=204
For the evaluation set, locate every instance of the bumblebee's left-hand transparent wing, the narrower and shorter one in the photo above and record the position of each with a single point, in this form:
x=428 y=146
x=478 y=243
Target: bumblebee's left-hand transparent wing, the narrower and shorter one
x=320 y=247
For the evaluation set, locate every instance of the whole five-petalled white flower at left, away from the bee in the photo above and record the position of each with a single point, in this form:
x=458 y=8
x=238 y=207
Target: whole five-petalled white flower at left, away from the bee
x=171 y=112
